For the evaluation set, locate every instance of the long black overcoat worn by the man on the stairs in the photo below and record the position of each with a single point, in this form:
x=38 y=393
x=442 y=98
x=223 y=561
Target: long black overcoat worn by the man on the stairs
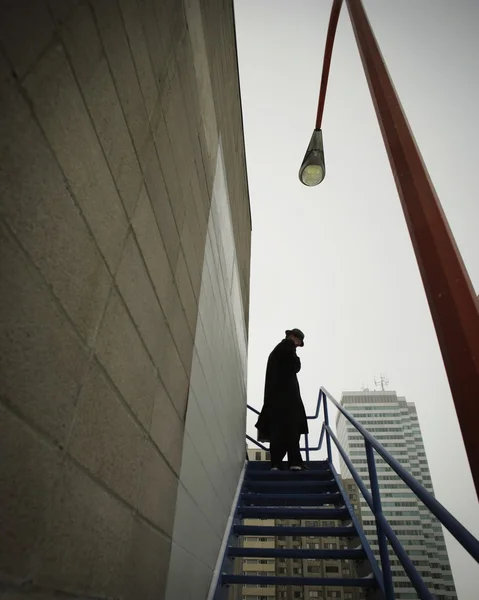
x=282 y=398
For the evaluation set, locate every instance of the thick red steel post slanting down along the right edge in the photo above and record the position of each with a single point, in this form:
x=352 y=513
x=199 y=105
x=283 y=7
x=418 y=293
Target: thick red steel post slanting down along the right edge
x=451 y=298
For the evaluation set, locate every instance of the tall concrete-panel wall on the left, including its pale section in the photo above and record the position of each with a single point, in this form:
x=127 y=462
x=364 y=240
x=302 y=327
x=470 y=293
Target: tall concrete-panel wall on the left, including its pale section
x=120 y=128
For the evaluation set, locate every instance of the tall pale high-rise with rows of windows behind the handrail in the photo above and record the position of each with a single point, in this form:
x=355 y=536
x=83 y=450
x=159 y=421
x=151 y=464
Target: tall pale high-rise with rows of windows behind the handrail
x=394 y=423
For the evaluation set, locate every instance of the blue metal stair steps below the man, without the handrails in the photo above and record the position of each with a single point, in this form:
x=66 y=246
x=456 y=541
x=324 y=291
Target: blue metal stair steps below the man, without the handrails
x=313 y=494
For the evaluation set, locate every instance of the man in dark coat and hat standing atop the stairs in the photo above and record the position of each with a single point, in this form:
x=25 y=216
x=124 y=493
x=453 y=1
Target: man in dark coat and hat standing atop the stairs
x=283 y=418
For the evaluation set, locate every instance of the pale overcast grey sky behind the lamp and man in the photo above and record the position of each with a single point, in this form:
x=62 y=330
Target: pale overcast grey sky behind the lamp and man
x=337 y=260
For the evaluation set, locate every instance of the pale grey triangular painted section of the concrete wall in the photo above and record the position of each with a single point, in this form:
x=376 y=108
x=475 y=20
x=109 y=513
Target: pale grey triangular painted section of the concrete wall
x=214 y=448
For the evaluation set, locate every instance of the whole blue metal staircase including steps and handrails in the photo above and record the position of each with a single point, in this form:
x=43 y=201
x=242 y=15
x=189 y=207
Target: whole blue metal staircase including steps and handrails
x=319 y=494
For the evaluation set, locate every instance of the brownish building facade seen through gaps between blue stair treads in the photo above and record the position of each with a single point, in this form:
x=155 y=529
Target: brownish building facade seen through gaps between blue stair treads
x=297 y=567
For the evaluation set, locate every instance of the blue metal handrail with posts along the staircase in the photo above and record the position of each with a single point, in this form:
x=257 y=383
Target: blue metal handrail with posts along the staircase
x=373 y=498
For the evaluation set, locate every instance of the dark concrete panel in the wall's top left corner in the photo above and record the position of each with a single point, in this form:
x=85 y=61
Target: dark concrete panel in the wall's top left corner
x=25 y=20
